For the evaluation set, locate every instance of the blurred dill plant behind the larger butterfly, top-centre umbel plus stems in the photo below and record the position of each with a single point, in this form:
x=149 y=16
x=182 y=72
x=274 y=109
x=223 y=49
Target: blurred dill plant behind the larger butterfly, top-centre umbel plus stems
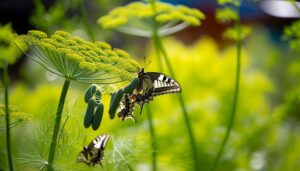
x=153 y=20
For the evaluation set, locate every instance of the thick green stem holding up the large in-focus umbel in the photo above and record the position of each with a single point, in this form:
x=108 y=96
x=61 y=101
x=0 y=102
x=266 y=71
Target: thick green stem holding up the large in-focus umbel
x=57 y=123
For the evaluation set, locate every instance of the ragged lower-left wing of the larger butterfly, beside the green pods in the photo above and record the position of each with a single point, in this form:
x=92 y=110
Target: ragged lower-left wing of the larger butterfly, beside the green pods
x=126 y=108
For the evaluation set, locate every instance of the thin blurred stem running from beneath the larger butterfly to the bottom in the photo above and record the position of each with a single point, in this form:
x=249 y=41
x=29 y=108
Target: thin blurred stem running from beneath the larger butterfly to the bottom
x=153 y=138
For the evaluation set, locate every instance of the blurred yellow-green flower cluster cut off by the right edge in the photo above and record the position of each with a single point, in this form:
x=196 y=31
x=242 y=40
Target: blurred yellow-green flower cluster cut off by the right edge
x=292 y=34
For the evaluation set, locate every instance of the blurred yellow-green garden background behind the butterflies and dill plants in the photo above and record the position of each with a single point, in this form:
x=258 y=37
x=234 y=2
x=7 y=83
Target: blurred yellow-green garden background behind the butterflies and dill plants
x=265 y=136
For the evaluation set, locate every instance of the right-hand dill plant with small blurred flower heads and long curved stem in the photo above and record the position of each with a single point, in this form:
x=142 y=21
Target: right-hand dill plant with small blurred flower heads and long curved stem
x=229 y=13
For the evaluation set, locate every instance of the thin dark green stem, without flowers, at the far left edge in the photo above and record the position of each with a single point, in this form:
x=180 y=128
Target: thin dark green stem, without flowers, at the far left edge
x=5 y=82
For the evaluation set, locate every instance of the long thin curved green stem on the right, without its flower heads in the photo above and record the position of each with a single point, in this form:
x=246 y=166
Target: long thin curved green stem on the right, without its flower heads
x=235 y=98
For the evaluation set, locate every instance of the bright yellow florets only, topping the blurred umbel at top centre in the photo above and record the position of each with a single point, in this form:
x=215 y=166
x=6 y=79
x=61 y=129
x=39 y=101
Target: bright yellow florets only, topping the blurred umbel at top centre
x=163 y=13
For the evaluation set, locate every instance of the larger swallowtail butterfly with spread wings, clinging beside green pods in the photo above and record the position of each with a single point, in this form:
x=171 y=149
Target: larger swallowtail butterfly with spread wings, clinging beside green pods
x=151 y=84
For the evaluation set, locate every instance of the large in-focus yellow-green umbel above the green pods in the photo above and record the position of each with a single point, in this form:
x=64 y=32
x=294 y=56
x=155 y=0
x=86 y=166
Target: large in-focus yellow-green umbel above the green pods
x=76 y=59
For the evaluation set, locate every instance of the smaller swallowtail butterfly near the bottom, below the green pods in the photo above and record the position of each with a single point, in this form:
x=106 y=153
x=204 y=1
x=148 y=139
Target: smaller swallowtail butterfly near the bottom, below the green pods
x=93 y=153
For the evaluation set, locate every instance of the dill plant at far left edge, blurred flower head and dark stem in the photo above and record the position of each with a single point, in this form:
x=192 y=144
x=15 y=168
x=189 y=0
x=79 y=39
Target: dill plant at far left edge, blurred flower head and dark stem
x=8 y=55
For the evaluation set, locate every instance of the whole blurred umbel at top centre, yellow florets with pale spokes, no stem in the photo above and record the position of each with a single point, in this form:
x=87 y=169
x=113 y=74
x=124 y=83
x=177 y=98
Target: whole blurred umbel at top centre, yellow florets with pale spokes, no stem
x=136 y=18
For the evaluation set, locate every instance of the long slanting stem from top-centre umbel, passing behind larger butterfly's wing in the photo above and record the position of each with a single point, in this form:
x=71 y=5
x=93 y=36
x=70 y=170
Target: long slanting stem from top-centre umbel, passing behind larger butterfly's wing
x=160 y=48
